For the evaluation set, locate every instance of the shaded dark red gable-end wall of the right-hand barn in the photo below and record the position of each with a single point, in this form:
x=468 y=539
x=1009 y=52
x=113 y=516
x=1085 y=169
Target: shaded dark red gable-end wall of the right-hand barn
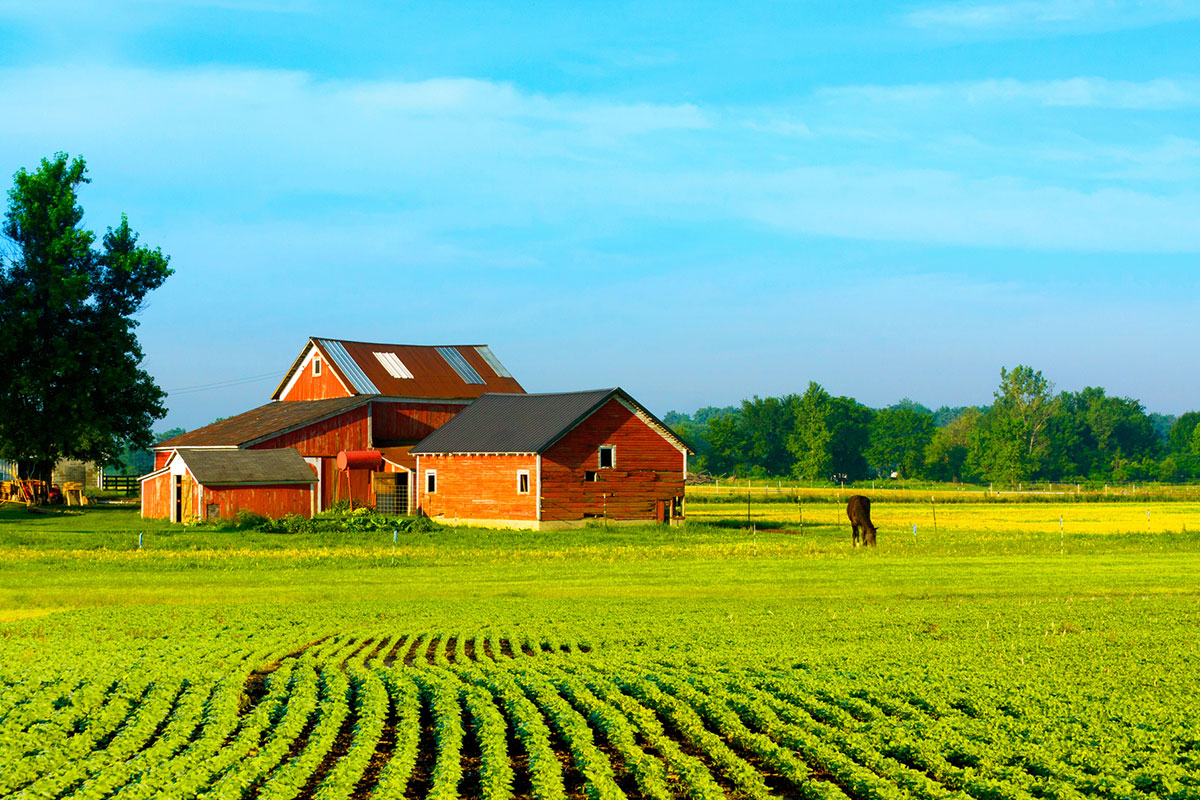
x=647 y=470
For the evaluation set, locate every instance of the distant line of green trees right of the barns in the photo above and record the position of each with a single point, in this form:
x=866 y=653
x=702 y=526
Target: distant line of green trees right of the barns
x=1029 y=434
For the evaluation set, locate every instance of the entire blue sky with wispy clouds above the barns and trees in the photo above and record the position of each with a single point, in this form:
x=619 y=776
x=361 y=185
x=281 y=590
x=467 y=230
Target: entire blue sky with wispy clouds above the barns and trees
x=695 y=202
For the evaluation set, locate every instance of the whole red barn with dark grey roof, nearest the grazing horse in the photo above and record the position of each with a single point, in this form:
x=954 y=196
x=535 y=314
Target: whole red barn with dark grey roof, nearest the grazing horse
x=553 y=461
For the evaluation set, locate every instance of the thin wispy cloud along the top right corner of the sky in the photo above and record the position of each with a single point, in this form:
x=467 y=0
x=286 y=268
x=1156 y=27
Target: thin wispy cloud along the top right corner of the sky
x=1035 y=16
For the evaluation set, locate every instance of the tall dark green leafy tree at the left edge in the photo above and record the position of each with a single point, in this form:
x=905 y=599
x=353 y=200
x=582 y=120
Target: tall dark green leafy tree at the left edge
x=70 y=378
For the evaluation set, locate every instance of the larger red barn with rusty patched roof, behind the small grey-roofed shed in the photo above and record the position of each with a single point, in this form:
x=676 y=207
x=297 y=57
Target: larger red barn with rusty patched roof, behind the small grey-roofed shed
x=347 y=396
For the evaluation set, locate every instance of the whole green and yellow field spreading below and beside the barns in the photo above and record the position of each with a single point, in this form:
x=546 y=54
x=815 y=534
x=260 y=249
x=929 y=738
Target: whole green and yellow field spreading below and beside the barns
x=1004 y=657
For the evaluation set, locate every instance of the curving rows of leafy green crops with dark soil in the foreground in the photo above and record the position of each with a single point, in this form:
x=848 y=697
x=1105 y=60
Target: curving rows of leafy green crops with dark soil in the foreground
x=454 y=713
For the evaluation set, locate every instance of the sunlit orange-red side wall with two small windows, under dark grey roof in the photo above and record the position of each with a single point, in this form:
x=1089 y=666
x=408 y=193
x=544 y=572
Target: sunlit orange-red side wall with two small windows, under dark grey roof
x=479 y=488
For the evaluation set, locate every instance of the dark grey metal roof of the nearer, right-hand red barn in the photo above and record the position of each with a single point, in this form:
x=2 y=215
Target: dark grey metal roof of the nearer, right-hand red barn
x=526 y=424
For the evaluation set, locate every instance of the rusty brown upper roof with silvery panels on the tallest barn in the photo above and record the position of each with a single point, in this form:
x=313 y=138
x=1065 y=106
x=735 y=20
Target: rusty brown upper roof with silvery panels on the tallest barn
x=452 y=372
